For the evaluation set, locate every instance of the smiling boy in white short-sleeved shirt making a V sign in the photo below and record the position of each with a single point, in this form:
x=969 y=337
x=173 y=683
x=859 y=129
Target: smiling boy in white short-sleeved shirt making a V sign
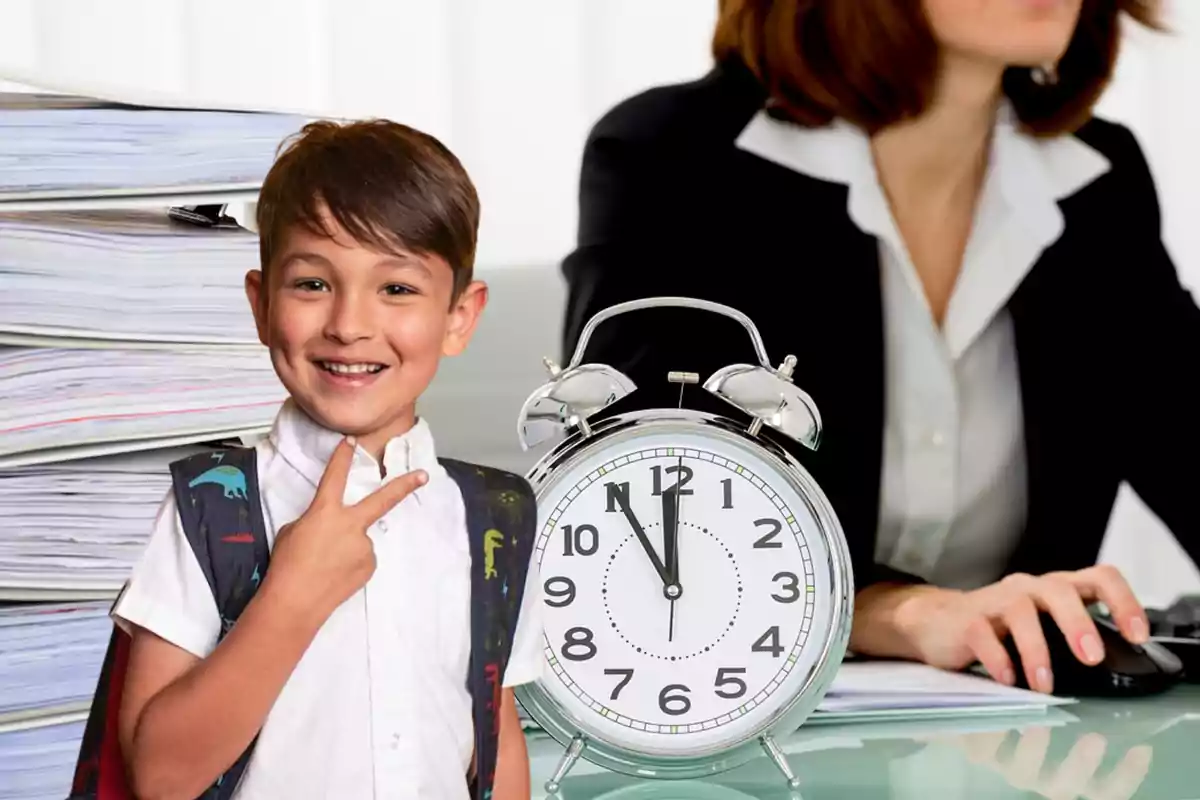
x=347 y=671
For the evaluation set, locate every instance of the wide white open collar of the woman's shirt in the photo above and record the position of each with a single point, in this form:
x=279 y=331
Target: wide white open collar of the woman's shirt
x=1031 y=175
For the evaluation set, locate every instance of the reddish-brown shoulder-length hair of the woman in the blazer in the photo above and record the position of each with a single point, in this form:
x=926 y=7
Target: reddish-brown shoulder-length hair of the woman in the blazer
x=874 y=63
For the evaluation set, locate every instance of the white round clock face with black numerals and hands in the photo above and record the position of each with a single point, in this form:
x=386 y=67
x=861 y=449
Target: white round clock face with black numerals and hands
x=688 y=592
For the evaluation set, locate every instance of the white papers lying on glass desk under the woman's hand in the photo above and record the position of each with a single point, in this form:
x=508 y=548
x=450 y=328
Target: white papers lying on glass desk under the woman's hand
x=892 y=689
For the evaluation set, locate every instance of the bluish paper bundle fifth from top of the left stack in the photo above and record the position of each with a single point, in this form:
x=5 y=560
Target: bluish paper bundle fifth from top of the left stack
x=51 y=657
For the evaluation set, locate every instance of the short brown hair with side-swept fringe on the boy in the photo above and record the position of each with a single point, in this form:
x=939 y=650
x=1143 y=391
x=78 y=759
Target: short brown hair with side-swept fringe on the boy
x=389 y=187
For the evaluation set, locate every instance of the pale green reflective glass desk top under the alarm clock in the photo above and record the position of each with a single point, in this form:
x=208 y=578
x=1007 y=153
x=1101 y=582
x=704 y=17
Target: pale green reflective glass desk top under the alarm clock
x=1095 y=750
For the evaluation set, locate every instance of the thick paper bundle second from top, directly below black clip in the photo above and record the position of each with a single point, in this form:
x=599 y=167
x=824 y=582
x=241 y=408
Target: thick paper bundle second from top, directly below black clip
x=134 y=276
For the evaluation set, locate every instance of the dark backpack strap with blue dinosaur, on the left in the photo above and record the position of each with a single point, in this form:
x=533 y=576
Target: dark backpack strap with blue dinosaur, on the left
x=223 y=518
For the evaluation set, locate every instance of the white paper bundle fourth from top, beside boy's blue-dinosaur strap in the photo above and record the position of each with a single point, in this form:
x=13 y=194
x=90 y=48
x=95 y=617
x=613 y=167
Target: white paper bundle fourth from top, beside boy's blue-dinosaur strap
x=75 y=530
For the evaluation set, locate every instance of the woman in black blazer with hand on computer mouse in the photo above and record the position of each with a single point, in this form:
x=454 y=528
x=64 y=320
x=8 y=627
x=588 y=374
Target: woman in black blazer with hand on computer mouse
x=915 y=199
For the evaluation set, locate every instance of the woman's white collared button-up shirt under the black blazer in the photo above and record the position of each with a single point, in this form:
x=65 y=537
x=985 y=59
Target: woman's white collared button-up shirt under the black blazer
x=953 y=494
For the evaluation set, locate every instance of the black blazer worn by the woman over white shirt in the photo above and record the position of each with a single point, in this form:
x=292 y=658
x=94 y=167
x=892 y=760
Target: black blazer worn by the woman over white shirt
x=1108 y=340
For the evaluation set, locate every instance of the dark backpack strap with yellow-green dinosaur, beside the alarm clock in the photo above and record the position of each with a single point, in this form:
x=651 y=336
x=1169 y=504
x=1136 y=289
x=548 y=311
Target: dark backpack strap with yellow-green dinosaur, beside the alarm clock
x=502 y=521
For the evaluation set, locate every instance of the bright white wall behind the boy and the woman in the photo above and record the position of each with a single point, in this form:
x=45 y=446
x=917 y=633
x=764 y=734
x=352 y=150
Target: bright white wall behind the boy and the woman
x=513 y=87
